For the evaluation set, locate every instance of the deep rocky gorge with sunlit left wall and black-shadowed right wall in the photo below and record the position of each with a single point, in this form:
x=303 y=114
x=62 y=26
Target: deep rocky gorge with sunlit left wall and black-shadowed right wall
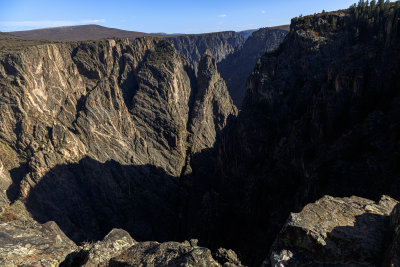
x=120 y=133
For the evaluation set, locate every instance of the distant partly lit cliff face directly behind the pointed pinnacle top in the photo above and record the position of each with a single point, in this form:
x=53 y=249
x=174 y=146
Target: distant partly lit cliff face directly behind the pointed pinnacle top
x=220 y=44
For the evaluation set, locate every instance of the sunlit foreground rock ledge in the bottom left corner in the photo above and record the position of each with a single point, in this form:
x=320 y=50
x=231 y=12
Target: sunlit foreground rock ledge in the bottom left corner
x=31 y=244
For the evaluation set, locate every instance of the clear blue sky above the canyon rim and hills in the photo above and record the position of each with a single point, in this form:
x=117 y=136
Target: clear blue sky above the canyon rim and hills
x=170 y=16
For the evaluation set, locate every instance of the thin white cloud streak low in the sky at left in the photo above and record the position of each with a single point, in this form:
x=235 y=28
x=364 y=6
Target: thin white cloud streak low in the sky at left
x=48 y=23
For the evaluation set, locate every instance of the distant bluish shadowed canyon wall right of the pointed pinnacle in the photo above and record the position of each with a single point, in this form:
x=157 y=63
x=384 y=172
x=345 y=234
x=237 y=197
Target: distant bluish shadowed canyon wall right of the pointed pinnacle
x=237 y=67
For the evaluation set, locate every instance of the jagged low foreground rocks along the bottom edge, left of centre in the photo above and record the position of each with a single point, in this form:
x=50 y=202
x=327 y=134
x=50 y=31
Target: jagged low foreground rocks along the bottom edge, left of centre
x=118 y=248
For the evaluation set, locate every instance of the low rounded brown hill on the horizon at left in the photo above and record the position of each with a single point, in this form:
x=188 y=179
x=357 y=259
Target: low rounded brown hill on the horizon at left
x=80 y=33
